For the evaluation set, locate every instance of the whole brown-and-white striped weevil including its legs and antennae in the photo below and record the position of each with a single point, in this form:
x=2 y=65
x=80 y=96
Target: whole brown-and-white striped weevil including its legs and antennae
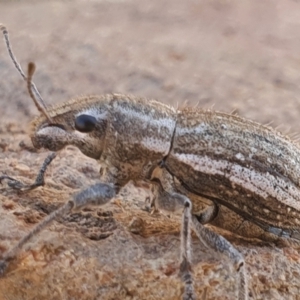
x=210 y=165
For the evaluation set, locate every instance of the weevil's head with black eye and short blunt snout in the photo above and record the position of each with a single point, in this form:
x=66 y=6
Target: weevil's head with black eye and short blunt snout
x=80 y=122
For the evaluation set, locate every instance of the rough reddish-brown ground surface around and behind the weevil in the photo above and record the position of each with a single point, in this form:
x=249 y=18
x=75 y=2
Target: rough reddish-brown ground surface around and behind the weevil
x=242 y=55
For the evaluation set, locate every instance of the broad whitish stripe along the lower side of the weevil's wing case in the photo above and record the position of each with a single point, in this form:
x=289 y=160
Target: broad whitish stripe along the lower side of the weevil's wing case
x=255 y=181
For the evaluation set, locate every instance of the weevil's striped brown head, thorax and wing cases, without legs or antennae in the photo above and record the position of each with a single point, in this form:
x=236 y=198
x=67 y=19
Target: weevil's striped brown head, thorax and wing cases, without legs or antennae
x=223 y=159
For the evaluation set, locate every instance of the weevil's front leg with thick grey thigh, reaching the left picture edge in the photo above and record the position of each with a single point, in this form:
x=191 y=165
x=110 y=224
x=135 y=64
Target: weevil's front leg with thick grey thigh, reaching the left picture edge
x=98 y=194
